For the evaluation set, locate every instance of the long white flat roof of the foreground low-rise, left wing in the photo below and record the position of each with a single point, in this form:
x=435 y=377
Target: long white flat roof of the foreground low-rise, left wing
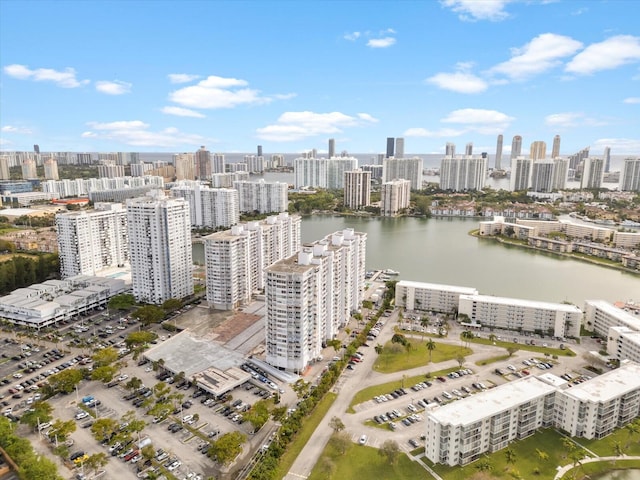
x=491 y=402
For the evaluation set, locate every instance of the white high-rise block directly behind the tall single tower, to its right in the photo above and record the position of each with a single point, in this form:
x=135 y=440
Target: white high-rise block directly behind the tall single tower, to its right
x=209 y=207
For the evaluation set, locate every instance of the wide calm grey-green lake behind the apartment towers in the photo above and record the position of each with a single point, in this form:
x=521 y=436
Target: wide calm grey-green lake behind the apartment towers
x=442 y=251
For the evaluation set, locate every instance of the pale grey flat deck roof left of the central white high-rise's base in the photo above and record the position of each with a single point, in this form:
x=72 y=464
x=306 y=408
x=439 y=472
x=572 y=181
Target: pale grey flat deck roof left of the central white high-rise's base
x=187 y=353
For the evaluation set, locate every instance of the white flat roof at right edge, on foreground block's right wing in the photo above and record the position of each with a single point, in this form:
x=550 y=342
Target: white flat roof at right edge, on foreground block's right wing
x=608 y=385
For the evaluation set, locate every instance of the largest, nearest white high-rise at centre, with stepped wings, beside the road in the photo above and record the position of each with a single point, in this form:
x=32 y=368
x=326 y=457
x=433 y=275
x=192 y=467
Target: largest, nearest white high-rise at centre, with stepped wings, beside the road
x=309 y=297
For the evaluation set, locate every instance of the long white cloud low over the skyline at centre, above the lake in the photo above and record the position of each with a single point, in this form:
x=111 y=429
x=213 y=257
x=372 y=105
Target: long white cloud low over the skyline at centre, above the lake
x=292 y=126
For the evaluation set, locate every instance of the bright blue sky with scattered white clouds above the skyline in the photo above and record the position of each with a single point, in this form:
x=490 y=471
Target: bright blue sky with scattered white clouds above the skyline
x=171 y=76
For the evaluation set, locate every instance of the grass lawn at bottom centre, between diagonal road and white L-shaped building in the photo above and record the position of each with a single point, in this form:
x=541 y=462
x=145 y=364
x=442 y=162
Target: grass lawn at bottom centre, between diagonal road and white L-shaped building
x=359 y=462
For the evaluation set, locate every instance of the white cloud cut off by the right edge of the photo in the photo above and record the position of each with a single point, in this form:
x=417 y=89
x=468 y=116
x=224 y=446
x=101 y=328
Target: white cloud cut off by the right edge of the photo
x=611 y=53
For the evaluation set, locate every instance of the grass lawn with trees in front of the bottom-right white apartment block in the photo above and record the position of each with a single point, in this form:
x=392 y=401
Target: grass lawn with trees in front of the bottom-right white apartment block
x=526 y=459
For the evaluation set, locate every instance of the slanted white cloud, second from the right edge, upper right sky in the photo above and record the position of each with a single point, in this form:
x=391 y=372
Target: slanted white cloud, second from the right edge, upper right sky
x=539 y=55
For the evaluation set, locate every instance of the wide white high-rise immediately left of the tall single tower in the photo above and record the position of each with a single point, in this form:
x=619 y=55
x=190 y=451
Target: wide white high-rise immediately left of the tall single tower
x=91 y=241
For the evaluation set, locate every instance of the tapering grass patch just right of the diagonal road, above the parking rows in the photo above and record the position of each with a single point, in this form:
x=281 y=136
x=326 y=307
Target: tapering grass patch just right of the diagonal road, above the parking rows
x=389 y=361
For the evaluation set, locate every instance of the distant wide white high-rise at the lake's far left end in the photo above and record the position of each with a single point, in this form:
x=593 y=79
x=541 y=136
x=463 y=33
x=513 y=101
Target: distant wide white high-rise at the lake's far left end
x=262 y=197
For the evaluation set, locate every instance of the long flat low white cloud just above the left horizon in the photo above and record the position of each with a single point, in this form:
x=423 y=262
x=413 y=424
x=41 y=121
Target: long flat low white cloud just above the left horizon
x=137 y=133
